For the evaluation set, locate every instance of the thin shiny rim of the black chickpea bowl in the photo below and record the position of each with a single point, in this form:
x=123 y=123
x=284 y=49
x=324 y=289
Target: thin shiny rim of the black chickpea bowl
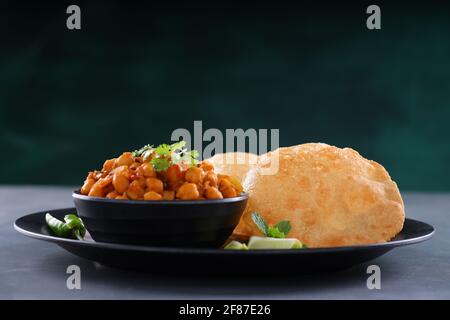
x=77 y=195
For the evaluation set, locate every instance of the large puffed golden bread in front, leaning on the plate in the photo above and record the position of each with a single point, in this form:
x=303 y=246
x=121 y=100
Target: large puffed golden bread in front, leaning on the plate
x=331 y=196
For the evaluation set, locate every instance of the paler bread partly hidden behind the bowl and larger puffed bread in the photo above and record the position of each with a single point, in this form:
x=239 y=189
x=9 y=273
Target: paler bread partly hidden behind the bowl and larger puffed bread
x=235 y=164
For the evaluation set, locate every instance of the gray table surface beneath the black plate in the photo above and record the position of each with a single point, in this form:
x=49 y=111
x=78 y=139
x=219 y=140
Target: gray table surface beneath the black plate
x=31 y=269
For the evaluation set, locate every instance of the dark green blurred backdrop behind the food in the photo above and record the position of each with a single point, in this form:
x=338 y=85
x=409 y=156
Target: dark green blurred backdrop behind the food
x=137 y=71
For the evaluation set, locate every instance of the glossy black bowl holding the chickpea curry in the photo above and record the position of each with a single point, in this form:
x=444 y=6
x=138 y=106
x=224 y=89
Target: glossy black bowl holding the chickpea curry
x=197 y=223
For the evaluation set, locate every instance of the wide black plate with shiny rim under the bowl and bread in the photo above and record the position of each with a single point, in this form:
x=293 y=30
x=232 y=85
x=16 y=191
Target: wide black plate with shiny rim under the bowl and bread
x=219 y=261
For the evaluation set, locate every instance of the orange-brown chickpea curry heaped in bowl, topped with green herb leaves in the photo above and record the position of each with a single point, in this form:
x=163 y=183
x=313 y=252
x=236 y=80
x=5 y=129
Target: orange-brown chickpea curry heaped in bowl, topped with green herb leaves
x=167 y=172
